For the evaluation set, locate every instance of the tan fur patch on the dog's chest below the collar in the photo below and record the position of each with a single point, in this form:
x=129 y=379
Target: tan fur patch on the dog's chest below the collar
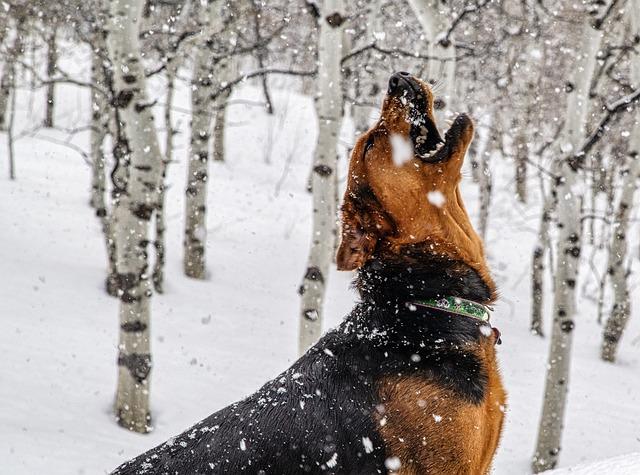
x=434 y=432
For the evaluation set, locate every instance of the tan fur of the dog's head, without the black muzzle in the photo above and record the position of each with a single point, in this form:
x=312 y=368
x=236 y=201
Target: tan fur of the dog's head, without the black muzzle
x=401 y=193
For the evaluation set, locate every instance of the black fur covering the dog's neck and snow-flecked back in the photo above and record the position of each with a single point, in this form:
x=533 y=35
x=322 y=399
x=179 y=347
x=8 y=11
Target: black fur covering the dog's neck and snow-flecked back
x=317 y=417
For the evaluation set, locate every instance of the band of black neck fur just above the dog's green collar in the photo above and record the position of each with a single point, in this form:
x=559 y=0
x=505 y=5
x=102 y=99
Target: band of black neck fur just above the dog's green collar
x=392 y=279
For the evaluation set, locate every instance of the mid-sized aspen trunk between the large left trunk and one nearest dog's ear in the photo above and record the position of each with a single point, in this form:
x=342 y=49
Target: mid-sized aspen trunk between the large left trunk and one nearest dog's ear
x=202 y=87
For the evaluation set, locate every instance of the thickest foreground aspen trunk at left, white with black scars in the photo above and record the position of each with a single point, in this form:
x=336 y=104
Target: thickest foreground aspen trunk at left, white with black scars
x=133 y=211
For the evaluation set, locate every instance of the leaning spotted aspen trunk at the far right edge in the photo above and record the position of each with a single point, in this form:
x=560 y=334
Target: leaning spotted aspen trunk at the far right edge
x=618 y=251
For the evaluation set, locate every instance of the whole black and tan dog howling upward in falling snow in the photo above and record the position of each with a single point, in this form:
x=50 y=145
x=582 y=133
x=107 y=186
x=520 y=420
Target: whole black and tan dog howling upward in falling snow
x=408 y=383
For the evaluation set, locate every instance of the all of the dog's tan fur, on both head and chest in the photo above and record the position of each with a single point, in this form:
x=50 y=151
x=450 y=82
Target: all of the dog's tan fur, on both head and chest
x=393 y=212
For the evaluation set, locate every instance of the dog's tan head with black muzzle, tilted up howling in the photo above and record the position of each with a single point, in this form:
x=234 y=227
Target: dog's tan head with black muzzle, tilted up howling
x=403 y=184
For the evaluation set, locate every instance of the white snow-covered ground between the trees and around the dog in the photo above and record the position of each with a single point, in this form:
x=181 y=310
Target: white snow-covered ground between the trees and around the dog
x=218 y=340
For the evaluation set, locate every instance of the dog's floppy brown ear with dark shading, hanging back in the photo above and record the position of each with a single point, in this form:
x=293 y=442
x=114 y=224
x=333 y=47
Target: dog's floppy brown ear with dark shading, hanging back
x=363 y=224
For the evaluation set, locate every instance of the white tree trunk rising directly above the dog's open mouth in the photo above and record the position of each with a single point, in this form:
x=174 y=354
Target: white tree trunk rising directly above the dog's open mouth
x=434 y=19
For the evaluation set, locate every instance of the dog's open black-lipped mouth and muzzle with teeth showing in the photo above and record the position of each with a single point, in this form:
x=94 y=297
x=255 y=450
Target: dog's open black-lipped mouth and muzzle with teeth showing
x=428 y=144
